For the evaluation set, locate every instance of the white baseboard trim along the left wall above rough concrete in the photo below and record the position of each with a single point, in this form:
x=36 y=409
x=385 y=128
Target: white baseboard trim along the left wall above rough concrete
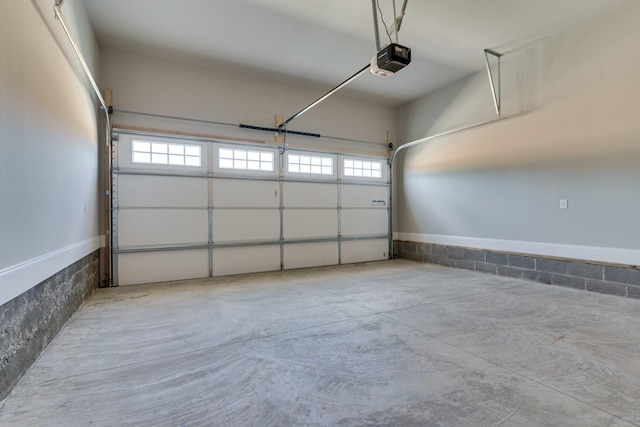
x=19 y=278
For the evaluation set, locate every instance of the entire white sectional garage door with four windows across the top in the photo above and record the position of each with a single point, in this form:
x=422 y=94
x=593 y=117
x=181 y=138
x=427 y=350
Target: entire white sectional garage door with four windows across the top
x=191 y=208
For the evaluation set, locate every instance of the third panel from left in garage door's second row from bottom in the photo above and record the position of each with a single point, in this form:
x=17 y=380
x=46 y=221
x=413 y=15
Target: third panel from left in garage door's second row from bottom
x=310 y=224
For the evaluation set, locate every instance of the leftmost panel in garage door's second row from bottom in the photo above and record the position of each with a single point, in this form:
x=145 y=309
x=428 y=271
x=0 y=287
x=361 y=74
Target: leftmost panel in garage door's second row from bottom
x=143 y=227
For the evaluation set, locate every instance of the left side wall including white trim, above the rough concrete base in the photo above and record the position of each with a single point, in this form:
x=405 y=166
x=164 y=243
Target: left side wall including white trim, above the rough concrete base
x=48 y=146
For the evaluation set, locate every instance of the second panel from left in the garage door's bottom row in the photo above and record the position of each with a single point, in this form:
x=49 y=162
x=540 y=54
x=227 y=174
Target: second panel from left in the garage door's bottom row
x=252 y=259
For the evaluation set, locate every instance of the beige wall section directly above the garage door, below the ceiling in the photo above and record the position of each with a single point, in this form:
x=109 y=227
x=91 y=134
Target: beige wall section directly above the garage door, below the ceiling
x=158 y=86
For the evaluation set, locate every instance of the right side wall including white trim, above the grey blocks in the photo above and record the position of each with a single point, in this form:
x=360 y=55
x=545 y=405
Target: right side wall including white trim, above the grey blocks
x=574 y=134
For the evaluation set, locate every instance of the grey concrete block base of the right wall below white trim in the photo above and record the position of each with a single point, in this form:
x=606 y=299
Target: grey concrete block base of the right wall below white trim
x=586 y=275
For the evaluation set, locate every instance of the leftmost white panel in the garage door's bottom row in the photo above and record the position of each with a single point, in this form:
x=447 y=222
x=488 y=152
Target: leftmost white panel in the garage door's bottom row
x=162 y=266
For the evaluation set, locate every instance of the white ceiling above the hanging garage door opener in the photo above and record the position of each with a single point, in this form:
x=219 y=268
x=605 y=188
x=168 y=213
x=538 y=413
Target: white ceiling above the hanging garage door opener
x=317 y=44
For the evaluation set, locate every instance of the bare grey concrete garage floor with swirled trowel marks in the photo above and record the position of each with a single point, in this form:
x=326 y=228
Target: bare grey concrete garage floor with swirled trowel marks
x=387 y=343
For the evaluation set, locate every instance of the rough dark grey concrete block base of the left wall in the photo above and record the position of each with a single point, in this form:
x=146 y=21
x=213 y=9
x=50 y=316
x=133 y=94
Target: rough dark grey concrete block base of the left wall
x=30 y=321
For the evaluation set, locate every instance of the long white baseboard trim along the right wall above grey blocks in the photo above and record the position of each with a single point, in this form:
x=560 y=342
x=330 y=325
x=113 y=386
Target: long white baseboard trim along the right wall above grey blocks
x=584 y=253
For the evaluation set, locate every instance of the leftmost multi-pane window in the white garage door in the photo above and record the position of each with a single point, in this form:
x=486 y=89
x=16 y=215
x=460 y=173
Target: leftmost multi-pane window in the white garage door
x=163 y=153
